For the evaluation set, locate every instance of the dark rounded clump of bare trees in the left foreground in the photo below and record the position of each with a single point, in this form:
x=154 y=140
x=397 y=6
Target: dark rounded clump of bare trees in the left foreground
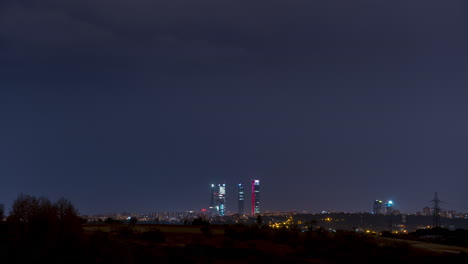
x=37 y=229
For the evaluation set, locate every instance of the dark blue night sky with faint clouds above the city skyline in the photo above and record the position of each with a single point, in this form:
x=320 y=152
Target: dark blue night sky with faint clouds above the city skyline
x=135 y=105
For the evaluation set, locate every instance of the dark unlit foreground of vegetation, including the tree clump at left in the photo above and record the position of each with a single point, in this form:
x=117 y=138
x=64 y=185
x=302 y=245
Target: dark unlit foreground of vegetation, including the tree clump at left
x=40 y=231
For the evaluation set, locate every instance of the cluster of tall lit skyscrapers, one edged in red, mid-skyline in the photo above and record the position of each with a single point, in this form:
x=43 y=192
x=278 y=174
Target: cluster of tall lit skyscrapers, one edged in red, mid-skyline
x=218 y=199
